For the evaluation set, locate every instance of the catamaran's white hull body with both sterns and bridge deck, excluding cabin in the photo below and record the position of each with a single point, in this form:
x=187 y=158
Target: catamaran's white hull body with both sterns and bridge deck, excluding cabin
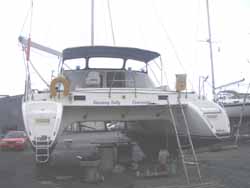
x=152 y=114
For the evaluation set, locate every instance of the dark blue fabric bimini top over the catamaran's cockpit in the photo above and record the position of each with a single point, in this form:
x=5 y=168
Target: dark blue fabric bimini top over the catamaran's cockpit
x=109 y=52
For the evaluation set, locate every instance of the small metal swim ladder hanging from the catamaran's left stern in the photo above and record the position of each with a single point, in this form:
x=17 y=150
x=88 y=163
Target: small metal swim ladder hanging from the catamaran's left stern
x=42 y=146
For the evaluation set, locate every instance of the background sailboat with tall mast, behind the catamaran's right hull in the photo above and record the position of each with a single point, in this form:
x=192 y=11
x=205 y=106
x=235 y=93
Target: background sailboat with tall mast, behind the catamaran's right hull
x=236 y=105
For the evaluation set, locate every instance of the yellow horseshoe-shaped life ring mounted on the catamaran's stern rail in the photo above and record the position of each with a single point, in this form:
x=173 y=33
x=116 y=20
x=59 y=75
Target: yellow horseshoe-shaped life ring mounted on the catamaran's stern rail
x=55 y=81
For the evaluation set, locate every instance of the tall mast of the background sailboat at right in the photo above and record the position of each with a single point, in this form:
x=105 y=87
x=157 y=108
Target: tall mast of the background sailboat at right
x=211 y=49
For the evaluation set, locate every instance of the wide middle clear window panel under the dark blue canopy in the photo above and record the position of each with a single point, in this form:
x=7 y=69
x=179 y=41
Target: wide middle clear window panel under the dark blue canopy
x=105 y=63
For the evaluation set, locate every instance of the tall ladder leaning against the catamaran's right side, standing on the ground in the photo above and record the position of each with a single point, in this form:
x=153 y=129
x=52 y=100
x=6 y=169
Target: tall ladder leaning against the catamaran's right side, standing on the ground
x=185 y=162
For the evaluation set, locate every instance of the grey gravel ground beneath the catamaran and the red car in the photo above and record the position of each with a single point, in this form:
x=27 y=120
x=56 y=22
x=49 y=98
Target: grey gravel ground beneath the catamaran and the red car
x=17 y=169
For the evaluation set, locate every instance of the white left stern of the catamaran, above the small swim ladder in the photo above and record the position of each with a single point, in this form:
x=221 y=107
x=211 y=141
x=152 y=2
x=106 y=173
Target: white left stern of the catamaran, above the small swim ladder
x=42 y=118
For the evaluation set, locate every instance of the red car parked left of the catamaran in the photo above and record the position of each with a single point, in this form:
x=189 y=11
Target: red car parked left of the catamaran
x=16 y=140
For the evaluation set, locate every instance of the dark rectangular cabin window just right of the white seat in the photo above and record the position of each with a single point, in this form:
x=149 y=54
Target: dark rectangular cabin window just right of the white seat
x=116 y=79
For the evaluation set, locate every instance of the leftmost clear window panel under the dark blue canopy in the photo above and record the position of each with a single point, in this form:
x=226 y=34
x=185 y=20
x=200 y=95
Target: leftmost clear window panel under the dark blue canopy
x=74 y=64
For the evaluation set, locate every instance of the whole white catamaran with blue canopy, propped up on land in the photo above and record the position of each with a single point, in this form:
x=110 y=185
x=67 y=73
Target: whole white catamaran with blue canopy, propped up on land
x=105 y=87
